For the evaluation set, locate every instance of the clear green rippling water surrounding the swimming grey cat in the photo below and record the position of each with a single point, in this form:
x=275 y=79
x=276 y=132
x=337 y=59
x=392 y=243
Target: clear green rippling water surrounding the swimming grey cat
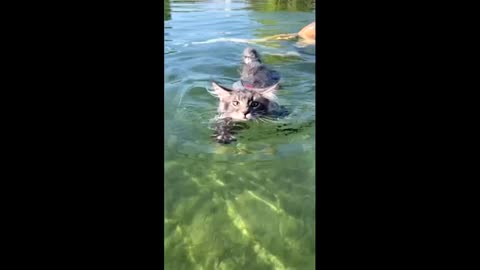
x=251 y=204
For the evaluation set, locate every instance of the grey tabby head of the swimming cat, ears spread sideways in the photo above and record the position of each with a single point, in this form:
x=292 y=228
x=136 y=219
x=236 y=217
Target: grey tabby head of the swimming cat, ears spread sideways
x=245 y=104
